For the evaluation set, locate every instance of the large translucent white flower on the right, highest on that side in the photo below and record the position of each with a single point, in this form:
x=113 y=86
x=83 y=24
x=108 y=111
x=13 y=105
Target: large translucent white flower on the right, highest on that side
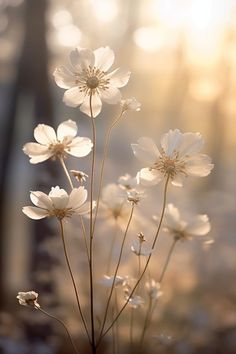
x=178 y=157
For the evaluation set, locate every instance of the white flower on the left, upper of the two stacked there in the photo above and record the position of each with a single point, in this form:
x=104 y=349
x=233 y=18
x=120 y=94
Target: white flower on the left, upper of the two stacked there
x=51 y=144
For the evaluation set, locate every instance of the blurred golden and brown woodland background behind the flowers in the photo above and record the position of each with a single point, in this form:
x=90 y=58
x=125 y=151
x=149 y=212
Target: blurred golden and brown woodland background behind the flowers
x=182 y=54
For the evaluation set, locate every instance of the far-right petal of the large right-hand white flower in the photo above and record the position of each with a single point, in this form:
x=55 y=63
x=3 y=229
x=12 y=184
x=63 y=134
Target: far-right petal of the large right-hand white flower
x=199 y=165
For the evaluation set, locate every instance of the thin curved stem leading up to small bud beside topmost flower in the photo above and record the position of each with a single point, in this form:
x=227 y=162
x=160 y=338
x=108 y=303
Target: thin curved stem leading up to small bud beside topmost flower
x=105 y=152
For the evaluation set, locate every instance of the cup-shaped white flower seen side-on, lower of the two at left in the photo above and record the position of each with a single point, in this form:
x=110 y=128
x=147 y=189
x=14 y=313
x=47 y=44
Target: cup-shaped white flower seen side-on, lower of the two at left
x=58 y=203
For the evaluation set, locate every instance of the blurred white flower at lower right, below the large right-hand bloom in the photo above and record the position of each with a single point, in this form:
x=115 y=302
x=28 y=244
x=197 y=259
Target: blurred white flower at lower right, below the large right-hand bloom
x=181 y=229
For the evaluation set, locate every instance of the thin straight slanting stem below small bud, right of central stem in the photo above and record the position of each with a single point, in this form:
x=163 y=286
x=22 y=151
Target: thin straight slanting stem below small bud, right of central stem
x=116 y=271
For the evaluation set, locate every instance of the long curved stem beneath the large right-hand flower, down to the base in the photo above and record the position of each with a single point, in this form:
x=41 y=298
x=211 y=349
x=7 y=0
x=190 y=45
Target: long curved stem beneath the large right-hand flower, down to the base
x=147 y=262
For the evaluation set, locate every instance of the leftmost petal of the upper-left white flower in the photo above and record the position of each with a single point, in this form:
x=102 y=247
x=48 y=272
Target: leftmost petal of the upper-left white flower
x=37 y=152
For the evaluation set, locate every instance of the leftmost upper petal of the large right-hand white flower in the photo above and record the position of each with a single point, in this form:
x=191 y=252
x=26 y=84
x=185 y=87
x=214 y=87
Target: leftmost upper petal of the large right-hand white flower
x=146 y=150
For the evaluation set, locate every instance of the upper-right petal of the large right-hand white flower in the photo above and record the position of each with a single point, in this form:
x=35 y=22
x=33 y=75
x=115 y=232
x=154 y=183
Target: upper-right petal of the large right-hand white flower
x=191 y=144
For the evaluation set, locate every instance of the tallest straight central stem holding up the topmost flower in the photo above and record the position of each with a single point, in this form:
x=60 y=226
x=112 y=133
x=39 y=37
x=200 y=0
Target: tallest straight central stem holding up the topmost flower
x=91 y=228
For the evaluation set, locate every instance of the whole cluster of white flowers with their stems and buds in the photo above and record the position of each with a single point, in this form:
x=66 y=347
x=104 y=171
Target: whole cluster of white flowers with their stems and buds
x=87 y=83
